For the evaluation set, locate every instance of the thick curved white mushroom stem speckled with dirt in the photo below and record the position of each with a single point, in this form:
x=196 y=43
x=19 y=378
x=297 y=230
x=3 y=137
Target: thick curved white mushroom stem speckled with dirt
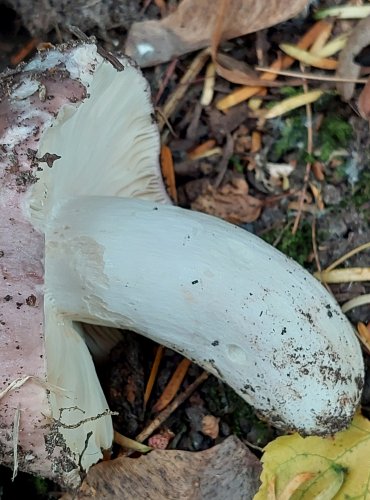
x=215 y=293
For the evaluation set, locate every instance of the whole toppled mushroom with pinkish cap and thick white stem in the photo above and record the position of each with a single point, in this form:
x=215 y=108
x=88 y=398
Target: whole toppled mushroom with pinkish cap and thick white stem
x=88 y=234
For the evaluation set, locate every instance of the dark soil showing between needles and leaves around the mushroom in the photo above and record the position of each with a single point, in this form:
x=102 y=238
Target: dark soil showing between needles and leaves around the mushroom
x=322 y=235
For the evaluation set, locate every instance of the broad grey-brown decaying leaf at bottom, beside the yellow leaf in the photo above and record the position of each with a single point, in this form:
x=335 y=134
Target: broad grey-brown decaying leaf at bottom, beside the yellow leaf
x=228 y=470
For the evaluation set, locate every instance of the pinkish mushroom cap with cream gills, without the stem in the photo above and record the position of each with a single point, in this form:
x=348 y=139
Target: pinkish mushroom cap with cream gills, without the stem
x=43 y=355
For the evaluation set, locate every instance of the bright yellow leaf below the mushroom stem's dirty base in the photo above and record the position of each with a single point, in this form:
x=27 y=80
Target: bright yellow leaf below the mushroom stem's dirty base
x=340 y=465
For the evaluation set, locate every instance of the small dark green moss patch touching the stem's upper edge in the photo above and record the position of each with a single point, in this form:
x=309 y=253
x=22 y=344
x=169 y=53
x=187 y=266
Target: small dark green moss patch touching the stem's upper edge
x=297 y=246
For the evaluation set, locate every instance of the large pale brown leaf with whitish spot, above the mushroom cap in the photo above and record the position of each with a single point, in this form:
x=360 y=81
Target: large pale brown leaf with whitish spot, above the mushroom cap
x=191 y=26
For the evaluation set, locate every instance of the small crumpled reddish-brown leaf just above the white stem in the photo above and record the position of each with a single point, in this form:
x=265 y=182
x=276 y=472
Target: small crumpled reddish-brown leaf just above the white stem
x=230 y=201
